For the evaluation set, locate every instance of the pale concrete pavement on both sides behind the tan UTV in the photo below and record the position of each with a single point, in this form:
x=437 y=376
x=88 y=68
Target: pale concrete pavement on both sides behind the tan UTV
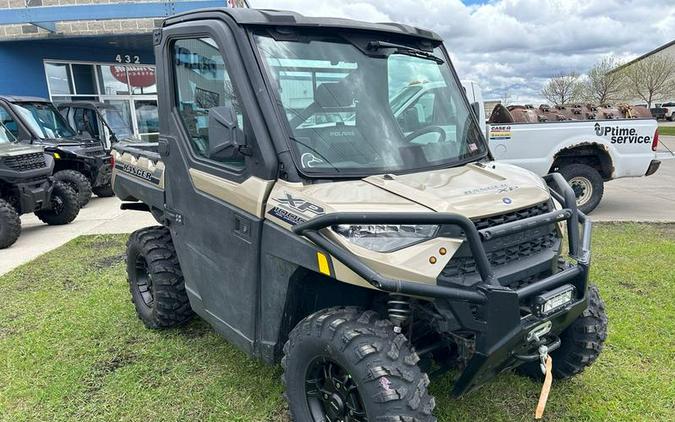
x=640 y=199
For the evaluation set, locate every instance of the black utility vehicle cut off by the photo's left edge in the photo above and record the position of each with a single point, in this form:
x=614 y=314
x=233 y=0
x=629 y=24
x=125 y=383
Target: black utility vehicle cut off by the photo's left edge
x=26 y=186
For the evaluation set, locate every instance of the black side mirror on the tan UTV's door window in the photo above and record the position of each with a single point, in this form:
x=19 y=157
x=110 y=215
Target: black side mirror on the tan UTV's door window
x=225 y=138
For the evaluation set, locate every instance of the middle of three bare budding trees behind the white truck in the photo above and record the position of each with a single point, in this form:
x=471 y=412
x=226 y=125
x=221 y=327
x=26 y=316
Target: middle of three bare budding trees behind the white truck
x=604 y=86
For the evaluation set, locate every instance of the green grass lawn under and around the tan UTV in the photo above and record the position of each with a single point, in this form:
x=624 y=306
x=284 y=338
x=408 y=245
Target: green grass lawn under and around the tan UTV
x=71 y=348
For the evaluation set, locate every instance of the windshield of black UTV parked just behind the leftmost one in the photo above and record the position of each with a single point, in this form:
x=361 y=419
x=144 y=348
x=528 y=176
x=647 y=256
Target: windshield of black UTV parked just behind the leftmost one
x=44 y=120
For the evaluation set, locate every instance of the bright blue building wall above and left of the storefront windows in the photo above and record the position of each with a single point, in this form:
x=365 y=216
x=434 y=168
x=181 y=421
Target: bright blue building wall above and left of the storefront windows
x=22 y=62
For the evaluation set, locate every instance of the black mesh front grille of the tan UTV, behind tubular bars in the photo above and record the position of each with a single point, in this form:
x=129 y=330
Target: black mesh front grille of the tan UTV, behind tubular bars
x=463 y=264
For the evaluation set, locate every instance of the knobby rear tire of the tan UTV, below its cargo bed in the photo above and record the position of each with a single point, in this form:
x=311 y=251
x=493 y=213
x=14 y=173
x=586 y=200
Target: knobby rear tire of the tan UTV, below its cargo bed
x=155 y=279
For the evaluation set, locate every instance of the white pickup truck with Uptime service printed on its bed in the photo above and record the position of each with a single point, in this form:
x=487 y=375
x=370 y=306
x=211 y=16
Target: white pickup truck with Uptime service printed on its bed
x=586 y=152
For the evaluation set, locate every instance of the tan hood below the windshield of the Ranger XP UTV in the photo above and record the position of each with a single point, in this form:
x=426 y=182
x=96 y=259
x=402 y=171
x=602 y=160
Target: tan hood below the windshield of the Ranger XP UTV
x=474 y=190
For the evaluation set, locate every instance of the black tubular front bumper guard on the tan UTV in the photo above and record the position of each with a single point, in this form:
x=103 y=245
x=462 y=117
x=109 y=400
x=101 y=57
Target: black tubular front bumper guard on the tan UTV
x=488 y=310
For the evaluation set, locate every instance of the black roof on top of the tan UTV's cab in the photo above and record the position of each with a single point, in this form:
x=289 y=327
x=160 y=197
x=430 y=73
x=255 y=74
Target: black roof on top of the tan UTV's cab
x=258 y=17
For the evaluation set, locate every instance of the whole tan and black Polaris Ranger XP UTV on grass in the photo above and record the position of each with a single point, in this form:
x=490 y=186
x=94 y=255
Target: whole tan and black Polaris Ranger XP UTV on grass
x=310 y=226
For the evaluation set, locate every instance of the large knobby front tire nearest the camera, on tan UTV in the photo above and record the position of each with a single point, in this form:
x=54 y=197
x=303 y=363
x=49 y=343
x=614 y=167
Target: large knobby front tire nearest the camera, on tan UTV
x=337 y=350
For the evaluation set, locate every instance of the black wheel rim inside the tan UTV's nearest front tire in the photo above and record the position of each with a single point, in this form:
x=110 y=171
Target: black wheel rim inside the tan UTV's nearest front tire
x=332 y=395
